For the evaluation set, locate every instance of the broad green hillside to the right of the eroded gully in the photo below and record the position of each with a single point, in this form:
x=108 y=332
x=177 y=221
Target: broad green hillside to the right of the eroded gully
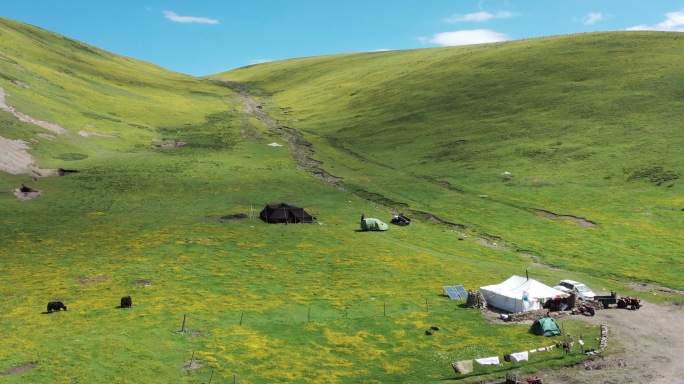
x=587 y=125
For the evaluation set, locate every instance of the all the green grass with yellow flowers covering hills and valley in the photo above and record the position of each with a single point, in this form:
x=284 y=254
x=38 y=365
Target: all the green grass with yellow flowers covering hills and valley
x=587 y=125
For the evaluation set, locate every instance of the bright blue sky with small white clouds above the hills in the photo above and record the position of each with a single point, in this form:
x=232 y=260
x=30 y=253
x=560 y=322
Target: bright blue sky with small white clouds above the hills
x=205 y=37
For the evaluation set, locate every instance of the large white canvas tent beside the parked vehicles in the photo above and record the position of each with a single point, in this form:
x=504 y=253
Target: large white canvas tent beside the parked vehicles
x=519 y=294
